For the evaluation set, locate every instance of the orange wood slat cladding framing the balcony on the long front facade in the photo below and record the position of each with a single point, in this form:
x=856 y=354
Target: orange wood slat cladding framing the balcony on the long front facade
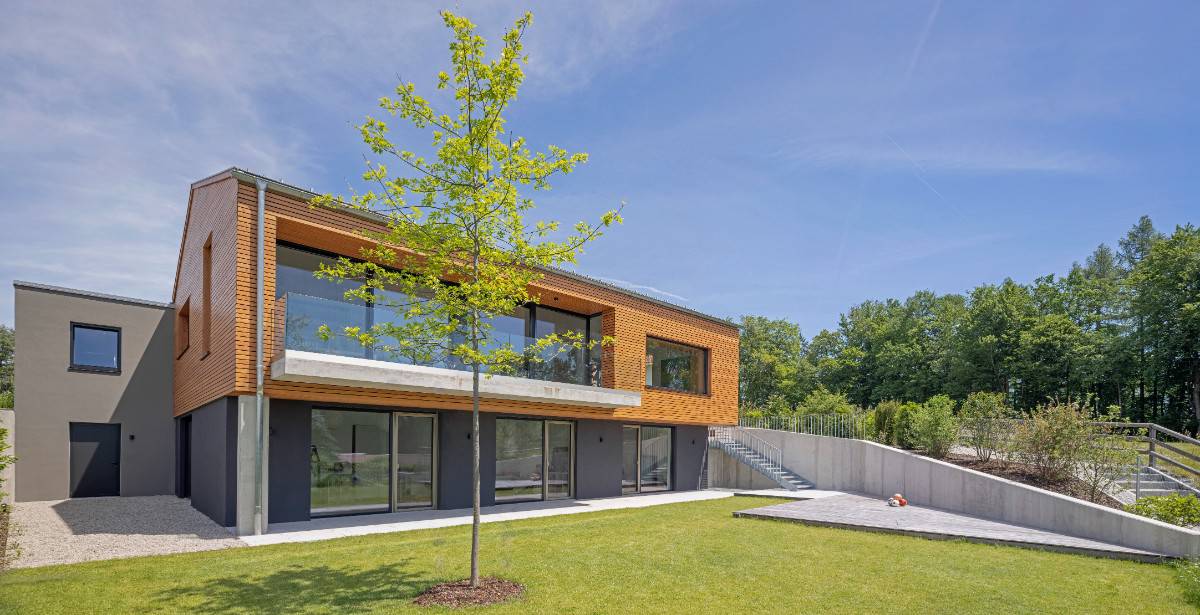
x=626 y=318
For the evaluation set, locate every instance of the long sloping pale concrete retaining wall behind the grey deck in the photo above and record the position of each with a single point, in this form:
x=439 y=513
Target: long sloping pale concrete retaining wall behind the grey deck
x=872 y=469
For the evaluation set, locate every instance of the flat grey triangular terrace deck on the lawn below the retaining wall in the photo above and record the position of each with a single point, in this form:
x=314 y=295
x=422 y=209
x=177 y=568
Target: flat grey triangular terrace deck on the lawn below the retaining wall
x=860 y=512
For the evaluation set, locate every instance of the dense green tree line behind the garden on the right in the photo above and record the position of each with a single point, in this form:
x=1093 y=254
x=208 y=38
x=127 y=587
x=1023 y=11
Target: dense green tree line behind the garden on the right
x=1123 y=330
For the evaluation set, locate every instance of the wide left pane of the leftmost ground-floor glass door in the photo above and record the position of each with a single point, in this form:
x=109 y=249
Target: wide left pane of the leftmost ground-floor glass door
x=350 y=462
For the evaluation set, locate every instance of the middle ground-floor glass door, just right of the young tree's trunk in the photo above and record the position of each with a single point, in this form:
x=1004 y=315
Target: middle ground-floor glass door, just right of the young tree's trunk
x=533 y=459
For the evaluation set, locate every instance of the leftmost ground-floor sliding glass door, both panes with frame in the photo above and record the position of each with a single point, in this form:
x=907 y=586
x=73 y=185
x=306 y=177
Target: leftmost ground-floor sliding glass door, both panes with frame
x=364 y=462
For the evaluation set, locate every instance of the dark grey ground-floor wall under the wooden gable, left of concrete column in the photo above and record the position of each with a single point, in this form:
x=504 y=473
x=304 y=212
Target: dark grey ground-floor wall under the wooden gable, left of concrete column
x=214 y=459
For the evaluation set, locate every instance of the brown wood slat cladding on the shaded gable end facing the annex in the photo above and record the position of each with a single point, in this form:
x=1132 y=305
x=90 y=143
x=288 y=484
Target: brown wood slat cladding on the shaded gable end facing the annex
x=201 y=379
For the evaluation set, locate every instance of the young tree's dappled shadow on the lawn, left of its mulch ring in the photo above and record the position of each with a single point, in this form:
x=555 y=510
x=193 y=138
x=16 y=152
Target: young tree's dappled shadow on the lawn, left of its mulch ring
x=301 y=589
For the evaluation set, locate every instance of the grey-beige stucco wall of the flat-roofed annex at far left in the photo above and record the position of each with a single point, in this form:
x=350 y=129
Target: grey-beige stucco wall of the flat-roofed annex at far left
x=50 y=397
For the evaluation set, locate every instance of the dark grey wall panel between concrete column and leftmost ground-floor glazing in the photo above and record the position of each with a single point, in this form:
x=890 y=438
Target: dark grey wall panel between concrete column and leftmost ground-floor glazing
x=289 y=474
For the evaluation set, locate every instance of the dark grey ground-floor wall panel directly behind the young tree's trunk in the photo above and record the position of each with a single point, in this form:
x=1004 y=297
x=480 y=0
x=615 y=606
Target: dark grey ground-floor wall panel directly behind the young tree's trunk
x=455 y=457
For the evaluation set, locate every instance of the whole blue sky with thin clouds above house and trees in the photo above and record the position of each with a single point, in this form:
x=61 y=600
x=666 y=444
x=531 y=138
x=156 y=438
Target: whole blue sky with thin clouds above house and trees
x=781 y=159
